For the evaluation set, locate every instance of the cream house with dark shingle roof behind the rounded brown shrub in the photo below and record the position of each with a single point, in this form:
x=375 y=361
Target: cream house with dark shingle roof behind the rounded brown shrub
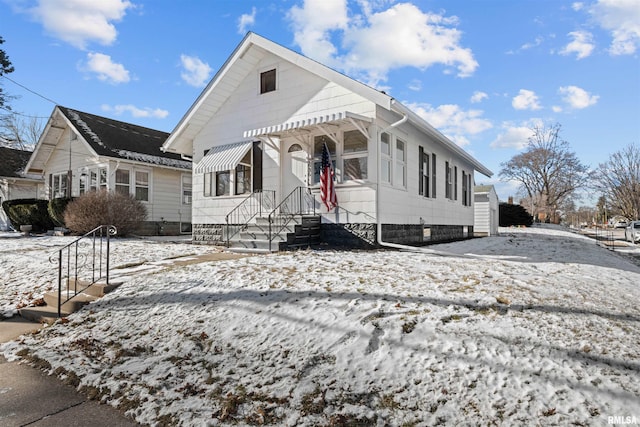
x=80 y=152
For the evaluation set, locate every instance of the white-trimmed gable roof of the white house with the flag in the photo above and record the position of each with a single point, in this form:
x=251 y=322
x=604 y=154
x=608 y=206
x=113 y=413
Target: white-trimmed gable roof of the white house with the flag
x=245 y=58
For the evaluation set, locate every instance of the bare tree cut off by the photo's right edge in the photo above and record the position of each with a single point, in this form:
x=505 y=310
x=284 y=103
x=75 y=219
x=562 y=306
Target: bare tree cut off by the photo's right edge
x=618 y=180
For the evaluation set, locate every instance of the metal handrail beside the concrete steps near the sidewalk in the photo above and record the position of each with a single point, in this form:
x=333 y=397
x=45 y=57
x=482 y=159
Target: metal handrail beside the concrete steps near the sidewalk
x=84 y=261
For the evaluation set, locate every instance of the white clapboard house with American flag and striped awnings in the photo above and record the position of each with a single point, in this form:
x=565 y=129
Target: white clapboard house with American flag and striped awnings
x=257 y=132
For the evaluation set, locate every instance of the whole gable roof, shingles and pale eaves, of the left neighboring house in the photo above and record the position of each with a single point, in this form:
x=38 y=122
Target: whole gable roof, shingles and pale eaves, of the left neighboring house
x=107 y=137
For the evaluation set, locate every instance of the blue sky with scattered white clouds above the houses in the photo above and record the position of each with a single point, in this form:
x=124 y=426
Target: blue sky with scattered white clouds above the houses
x=483 y=72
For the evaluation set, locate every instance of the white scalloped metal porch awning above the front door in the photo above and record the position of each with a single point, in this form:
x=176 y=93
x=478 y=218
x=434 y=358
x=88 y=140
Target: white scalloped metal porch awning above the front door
x=293 y=126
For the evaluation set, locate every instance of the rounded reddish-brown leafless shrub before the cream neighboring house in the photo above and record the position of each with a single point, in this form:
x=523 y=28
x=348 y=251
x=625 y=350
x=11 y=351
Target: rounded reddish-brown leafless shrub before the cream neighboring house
x=104 y=208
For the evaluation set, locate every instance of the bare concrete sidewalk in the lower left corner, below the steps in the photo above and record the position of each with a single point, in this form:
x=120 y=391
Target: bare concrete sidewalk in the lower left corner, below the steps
x=30 y=397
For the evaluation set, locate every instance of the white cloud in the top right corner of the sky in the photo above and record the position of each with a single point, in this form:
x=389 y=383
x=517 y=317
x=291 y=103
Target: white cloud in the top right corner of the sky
x=622 y=19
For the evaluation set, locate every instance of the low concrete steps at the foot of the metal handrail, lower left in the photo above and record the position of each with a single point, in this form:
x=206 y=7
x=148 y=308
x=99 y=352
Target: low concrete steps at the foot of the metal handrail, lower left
x=77 y=297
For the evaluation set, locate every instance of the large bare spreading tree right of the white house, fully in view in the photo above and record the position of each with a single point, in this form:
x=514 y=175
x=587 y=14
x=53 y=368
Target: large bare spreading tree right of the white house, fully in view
x=547 y=171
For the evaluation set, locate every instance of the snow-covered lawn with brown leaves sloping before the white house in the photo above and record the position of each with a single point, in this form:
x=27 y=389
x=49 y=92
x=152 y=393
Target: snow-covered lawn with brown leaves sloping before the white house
x=535 y=327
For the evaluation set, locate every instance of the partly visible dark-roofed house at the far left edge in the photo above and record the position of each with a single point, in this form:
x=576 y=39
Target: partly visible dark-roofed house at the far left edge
x=14 y=183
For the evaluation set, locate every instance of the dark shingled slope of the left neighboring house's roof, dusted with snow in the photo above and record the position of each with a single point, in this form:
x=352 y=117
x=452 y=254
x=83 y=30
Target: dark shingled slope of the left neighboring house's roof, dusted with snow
x=113 y=138
